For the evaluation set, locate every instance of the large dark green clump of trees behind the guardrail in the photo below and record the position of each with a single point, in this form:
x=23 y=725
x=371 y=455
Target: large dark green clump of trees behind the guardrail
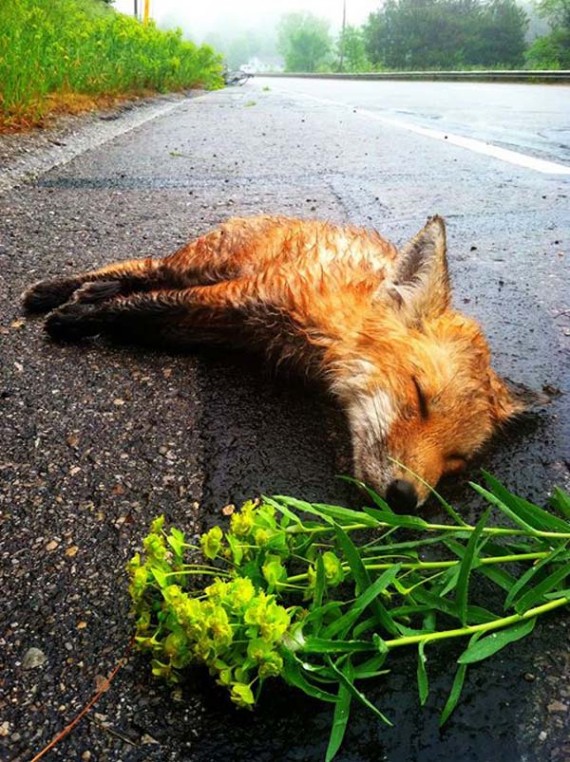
x=446 y=34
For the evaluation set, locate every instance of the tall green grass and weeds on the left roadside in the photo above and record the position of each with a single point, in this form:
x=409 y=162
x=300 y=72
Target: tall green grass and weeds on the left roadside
x=51 y=50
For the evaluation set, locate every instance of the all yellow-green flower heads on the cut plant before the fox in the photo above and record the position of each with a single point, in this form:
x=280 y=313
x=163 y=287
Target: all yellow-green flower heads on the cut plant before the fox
x=235 y=625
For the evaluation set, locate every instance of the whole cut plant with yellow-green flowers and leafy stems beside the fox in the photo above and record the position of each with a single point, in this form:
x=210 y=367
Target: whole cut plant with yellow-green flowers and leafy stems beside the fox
x=295 y=595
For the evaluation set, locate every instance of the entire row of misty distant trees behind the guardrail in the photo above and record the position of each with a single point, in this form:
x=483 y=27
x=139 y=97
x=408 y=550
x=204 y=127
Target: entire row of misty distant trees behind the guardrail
x=429 y=34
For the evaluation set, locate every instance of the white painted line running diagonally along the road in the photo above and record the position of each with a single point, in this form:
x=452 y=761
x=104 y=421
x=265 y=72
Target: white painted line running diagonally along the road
x=477 y=146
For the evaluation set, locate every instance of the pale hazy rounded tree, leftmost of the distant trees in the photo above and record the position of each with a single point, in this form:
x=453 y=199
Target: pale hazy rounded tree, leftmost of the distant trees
x=304 y=41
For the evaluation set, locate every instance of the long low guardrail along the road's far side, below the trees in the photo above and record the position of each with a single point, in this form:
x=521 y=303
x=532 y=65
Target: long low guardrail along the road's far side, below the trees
x=531 y=77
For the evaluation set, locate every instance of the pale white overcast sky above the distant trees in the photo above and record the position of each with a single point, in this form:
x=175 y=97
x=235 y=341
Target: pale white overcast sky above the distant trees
x=200 y=18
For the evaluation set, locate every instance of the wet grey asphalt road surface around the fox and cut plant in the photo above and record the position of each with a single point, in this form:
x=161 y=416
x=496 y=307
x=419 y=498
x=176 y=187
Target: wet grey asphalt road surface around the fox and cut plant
x=97 y=440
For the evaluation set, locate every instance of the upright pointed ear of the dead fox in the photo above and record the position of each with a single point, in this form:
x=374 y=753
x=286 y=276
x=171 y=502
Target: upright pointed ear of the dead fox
x=421 y=281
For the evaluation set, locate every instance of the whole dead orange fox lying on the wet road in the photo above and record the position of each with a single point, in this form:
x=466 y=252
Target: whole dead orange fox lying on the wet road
x=372 y=323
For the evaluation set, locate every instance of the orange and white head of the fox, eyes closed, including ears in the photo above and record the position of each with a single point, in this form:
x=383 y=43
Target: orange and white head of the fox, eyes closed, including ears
x=421 y=397
